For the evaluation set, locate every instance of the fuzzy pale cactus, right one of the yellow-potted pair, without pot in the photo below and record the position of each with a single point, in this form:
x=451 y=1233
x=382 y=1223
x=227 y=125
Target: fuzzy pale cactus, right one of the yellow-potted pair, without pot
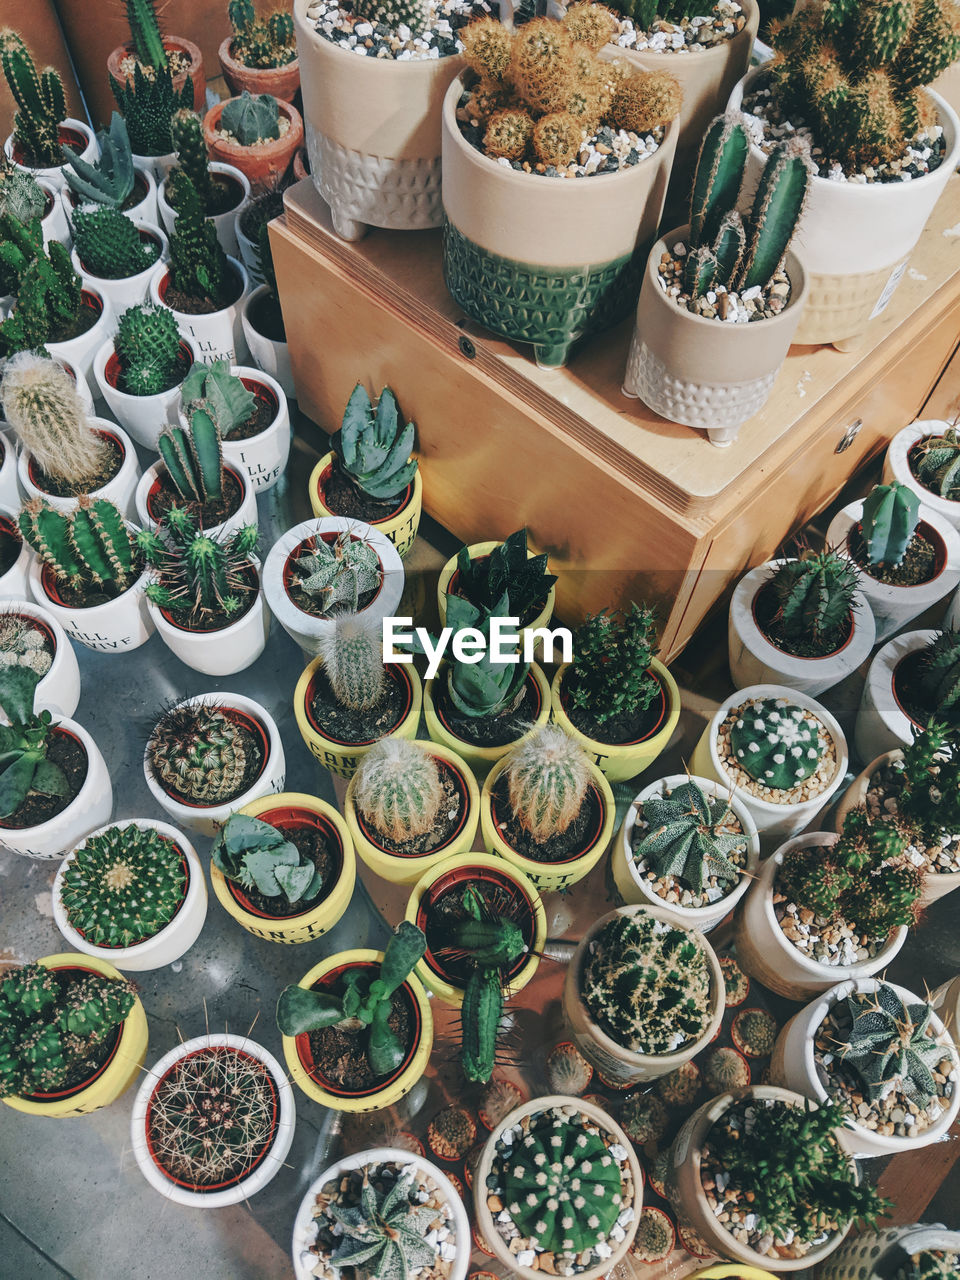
x=547 y=778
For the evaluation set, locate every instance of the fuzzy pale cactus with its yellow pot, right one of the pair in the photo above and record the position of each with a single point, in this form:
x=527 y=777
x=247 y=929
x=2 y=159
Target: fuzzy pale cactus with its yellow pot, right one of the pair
x=547 y=810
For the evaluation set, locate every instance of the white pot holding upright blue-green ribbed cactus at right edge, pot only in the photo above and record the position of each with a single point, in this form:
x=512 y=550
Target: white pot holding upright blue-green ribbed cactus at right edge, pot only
x=895 y=606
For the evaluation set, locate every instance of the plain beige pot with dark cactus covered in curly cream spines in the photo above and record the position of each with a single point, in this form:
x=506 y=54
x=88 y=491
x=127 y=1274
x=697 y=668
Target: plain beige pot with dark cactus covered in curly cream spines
x=642 y=995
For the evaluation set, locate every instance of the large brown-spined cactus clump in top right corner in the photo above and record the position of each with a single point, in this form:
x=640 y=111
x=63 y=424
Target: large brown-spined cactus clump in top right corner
x=856 y=74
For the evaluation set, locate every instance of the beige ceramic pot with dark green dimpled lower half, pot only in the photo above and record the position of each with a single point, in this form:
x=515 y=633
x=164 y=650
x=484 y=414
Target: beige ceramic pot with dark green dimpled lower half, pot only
x=577 y=250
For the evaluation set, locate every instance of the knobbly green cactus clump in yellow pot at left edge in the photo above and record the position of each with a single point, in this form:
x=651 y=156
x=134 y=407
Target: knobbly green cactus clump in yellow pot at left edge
x=51 y=1026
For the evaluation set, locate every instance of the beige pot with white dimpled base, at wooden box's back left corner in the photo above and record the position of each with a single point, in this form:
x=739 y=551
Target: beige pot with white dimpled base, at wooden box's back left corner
x=373 y=130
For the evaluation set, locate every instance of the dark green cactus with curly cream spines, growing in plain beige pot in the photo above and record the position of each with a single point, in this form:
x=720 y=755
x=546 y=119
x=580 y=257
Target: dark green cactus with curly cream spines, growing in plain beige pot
x=648 y=984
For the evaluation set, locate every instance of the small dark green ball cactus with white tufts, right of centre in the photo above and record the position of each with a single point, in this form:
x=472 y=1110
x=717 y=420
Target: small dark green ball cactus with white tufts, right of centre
x=776 y=742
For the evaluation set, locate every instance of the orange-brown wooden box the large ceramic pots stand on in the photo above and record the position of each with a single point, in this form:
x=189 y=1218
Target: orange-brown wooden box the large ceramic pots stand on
x=628 y=506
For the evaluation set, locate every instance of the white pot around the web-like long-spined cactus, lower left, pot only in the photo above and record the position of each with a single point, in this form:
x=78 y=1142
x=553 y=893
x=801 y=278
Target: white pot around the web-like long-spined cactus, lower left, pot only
x=268 y=1164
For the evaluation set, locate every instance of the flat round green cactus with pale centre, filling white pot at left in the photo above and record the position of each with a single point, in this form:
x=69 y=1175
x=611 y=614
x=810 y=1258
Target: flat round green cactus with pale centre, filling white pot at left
x=124 y=886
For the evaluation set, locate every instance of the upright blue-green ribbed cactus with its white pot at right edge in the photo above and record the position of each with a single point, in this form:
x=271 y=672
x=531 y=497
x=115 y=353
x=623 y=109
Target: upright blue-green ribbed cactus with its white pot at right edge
x=908 y=555
